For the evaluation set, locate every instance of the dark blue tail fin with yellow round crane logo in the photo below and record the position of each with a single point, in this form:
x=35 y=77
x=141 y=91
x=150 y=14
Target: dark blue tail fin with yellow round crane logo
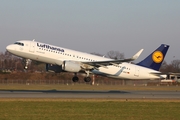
x=155 y=59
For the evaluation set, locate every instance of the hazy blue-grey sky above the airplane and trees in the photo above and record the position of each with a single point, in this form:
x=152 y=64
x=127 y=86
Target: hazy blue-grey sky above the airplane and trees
x=94 y=25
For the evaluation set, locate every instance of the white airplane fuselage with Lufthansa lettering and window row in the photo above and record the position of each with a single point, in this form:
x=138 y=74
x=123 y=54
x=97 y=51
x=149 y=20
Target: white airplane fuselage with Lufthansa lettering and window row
x=56 y=55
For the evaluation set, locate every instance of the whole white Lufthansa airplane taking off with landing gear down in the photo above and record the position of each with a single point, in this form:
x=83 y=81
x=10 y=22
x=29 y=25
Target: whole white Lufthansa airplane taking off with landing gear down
x=59 y=59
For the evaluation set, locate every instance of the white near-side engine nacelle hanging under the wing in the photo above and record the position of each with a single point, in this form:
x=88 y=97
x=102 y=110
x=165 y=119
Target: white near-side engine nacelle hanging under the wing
x=71 y=66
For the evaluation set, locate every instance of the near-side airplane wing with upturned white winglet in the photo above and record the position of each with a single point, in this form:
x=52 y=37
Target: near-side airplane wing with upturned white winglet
x=96 y=64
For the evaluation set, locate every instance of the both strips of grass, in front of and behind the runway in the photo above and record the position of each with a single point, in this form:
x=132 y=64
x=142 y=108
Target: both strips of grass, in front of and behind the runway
x=88 y=109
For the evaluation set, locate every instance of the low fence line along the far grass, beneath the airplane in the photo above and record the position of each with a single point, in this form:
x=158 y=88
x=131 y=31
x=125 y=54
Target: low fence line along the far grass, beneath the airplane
x=97 y=82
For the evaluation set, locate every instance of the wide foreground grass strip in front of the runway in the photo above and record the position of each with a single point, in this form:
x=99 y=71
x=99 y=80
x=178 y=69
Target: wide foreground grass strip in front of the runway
x=88 y=109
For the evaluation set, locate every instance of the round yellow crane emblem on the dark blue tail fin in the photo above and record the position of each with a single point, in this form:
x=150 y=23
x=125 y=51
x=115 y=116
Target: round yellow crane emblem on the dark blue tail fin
x=157 y=56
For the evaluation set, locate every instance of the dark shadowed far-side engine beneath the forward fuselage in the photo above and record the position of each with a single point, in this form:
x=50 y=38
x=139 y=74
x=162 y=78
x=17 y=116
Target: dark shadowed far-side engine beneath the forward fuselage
x=53 y=68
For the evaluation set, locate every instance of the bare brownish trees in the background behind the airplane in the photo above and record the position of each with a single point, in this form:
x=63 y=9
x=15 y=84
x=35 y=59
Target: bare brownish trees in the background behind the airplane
x=14 y=63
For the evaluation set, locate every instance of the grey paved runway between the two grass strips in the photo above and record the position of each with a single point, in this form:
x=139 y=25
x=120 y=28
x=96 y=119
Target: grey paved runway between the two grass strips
x=89 y=94
